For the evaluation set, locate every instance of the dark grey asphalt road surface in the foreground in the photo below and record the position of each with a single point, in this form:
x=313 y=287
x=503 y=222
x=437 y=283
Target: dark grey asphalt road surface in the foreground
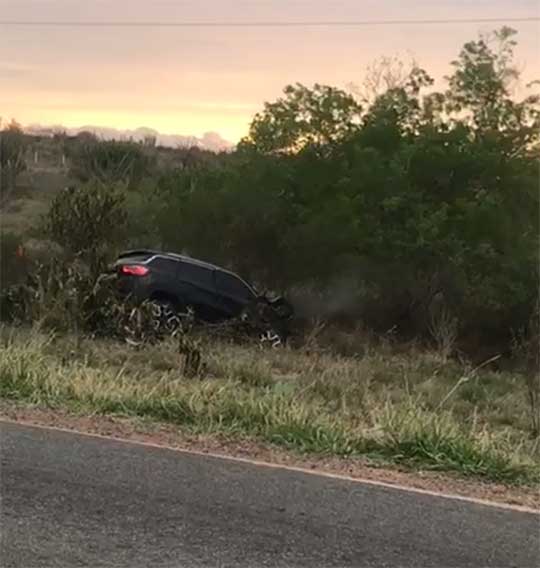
x=70 y=500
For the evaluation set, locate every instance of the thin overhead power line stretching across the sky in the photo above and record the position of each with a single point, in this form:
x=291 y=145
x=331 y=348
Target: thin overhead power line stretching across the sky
x=261 y=24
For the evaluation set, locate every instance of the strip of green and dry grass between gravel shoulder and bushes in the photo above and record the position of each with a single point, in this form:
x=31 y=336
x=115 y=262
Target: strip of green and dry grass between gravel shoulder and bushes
x=409 y=409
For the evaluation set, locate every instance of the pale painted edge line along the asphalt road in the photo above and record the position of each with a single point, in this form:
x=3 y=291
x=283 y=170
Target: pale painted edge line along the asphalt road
x=260 y=463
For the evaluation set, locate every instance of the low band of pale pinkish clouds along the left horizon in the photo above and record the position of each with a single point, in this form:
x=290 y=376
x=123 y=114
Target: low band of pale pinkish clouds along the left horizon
x=209 y=141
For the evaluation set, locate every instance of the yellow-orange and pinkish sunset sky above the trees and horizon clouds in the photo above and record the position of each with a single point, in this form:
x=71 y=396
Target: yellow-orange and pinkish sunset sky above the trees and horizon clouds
x=192 y=80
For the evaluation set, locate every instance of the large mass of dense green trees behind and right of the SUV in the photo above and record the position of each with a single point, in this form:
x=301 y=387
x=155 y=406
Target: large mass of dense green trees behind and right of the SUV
x=422 y=197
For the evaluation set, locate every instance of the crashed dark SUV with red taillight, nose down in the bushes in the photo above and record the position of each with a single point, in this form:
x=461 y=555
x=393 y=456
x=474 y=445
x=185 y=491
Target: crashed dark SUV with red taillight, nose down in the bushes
x=178 y=284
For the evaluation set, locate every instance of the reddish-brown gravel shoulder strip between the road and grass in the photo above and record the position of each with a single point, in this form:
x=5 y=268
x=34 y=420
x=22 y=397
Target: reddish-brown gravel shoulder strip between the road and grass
x=166 y=435
